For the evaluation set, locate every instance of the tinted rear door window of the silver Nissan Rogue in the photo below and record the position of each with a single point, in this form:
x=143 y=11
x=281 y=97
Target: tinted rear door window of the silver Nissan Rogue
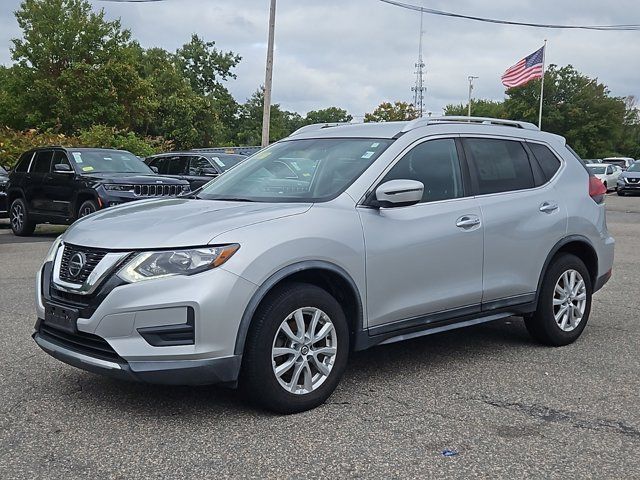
x=499 y=165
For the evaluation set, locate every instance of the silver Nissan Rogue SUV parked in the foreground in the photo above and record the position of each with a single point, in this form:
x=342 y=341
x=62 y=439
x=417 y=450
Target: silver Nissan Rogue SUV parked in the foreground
x=335 y=239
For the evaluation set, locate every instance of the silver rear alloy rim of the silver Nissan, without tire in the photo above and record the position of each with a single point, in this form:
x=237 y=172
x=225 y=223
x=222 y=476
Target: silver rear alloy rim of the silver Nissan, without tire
x=569 y=300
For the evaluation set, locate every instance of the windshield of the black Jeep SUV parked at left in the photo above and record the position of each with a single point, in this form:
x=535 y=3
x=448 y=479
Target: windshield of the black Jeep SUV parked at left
x=108 y=161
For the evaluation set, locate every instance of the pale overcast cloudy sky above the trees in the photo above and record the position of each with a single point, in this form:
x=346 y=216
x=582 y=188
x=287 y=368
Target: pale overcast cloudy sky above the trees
x=358 y=53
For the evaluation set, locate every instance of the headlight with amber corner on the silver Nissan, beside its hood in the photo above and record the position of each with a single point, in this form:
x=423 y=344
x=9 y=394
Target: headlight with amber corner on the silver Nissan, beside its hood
x=167 y=263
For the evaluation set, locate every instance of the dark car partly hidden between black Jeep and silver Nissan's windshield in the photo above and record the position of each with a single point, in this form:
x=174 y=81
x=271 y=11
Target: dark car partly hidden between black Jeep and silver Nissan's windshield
x=197 y=168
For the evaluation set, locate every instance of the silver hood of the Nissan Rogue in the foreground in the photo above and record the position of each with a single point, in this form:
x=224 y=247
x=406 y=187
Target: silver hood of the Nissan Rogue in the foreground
x=169 y=223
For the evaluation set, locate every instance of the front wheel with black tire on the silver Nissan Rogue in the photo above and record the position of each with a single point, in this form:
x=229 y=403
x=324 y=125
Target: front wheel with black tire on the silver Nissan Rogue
x=258 y=378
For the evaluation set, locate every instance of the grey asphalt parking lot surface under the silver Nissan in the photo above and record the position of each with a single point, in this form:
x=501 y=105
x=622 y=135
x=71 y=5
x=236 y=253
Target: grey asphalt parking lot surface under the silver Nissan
x=507 y=407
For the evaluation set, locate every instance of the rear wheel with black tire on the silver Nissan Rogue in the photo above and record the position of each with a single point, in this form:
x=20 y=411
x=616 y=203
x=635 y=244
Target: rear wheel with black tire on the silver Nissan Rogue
x=542 y=325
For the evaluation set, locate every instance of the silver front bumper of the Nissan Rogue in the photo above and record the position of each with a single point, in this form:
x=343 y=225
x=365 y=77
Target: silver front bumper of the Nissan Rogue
x=119 y=316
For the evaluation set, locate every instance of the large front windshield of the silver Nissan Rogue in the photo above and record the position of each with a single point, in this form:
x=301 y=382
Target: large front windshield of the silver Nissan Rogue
x=313 y=170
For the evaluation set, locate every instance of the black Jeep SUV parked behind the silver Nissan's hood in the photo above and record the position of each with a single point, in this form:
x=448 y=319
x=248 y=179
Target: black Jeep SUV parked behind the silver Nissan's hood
x=60 y=185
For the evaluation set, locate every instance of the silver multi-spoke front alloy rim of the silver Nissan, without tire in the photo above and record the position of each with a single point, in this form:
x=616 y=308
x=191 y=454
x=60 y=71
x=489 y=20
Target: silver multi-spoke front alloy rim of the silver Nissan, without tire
x=304 y=350
